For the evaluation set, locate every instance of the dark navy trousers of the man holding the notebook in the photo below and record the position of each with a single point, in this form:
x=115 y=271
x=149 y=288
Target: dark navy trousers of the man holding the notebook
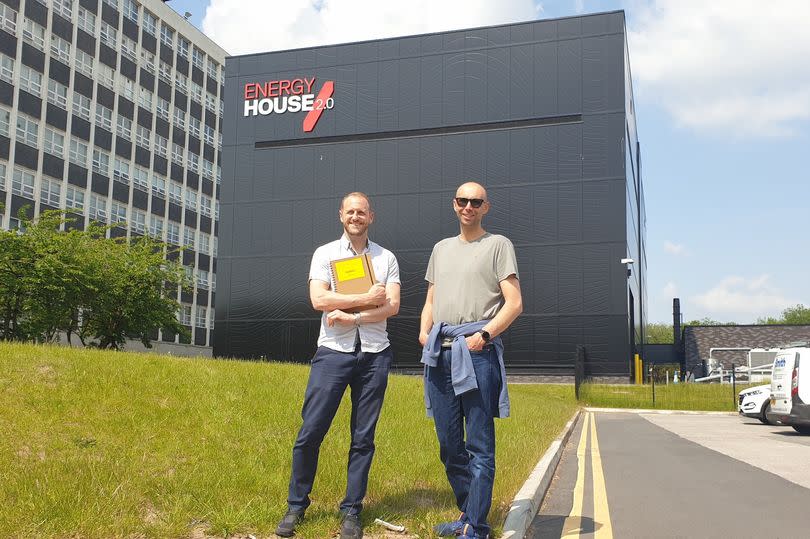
x=331 y=373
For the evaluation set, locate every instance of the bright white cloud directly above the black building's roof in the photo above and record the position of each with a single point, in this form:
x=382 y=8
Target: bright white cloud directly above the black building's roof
x=246 y=26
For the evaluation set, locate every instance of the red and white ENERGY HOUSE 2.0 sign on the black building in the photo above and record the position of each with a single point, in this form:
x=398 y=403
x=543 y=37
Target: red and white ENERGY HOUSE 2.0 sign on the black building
x=289 y=95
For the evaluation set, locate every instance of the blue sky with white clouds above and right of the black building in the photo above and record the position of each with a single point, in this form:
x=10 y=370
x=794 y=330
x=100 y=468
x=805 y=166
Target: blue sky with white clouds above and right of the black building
x=722 y=93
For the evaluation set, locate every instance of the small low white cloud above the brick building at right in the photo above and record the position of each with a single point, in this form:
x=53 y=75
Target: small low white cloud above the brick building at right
x=737 y=299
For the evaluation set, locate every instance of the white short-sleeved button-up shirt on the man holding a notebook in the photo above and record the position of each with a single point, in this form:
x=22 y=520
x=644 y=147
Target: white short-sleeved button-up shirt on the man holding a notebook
x=342 y=337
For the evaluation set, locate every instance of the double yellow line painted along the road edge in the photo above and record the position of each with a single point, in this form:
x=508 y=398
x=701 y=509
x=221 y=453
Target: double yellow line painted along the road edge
x=601 y=513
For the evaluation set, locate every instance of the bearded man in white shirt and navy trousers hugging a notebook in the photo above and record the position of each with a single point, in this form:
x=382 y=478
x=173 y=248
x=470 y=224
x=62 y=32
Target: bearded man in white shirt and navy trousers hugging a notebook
x=353 y=351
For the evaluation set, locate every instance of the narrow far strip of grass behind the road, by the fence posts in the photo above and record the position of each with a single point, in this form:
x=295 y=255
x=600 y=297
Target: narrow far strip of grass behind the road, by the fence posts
x=706 y=397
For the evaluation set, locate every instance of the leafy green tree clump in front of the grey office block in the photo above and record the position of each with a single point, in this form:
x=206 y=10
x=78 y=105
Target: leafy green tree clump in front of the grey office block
x=82 y=283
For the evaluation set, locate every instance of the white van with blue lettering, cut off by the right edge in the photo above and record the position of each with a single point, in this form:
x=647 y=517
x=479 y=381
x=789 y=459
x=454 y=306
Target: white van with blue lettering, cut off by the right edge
x=790 y=388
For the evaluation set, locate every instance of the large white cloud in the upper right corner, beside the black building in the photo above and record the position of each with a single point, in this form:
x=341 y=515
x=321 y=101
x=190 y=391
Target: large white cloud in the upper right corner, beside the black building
x=733 y=67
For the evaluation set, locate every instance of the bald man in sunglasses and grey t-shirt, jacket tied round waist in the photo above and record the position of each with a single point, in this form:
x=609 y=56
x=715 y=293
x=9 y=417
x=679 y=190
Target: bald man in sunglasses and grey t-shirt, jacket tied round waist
x=473 y=296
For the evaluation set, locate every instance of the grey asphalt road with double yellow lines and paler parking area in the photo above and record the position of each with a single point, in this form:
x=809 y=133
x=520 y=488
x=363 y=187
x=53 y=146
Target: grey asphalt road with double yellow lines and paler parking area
x=677 y=475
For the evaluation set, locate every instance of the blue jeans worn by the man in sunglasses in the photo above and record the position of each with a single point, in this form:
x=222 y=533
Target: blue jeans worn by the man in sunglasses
x=470 y=463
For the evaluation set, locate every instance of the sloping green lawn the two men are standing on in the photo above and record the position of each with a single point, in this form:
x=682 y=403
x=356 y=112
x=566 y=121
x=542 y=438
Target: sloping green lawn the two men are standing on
x=99 y=444
